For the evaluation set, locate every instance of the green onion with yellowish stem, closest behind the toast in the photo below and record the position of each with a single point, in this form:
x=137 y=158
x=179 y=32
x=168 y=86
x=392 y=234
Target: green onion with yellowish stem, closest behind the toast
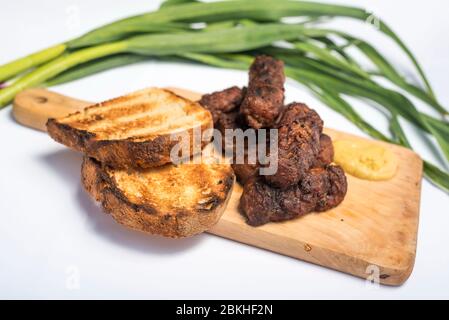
x=228 y=40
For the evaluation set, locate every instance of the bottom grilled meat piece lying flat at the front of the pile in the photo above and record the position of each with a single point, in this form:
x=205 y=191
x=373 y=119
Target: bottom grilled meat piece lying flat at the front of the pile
x=320 y=190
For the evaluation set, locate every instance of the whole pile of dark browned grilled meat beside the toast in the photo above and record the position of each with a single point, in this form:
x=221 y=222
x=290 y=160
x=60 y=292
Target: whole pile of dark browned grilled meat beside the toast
x=306 y=180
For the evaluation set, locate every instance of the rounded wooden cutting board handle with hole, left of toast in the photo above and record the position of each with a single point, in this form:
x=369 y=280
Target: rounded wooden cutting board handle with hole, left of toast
x=33 y=107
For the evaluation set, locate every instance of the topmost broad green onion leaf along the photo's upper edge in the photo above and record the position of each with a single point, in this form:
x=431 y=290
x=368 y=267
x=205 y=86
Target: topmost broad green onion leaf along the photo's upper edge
x=261 y=10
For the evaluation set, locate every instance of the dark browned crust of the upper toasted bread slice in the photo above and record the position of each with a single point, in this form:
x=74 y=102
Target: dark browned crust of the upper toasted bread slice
x=123 y=153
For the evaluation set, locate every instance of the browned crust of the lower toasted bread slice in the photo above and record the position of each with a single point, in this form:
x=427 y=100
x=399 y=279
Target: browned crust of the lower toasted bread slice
x=148 y=218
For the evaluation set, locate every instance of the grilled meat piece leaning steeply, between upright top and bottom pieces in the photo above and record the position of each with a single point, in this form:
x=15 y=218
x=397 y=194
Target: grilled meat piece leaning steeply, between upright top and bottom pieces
x=299 y=132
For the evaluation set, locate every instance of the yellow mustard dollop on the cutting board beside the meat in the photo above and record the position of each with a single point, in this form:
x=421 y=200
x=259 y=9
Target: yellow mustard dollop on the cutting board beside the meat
x=366 y=160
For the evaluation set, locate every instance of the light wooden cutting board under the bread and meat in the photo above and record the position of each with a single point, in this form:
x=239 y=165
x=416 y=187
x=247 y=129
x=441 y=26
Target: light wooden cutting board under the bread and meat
x=372 y=234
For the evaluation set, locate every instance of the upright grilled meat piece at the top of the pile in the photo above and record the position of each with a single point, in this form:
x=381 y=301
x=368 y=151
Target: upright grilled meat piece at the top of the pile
x=265 y=97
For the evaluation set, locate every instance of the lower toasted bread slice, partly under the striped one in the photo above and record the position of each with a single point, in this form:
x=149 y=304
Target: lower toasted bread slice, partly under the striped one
x=173 y=200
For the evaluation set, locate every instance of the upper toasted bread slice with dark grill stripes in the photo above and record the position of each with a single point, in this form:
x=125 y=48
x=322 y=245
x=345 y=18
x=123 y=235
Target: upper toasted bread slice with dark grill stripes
x=133 y=131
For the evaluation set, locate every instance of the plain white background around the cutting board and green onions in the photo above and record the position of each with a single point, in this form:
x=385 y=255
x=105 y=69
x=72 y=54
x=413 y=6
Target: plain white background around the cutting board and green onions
x=51 y=232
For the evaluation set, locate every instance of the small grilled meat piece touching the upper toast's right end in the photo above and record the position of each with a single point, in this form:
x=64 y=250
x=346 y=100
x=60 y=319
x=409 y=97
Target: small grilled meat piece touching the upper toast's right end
x=223 y=101
